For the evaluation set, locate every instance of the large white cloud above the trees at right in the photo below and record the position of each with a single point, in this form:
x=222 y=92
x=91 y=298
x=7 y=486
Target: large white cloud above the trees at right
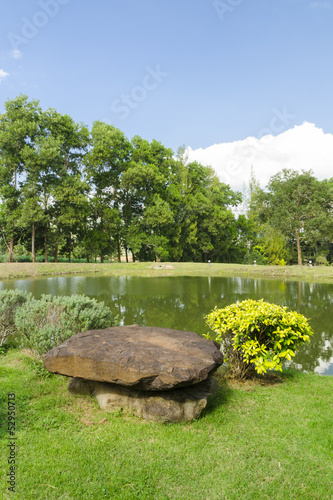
x=303 y=147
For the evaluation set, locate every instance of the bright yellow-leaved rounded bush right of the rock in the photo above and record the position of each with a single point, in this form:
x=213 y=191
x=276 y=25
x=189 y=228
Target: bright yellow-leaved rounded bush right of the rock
x=257 y=336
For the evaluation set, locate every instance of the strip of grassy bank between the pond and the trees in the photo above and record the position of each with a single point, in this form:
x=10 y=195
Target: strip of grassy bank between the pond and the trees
x=21 y=270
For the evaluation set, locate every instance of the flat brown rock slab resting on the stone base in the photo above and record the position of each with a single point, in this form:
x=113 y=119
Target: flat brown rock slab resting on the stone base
x=146 y=358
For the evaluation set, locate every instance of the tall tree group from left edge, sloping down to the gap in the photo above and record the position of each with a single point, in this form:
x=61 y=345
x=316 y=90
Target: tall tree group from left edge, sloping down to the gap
x=100 y=192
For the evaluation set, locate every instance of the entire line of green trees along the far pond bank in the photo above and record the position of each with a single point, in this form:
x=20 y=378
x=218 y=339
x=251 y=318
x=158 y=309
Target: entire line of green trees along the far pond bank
x=69 y=191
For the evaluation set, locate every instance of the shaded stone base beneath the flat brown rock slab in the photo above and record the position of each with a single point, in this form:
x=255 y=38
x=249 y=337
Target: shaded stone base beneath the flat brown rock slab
x=177 y=405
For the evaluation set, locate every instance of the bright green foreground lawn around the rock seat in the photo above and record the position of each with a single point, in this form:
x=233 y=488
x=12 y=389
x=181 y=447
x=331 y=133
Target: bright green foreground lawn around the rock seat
x=266 y=439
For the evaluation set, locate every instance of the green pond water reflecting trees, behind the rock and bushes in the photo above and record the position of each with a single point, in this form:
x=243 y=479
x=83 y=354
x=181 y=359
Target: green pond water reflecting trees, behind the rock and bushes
x=182 y=303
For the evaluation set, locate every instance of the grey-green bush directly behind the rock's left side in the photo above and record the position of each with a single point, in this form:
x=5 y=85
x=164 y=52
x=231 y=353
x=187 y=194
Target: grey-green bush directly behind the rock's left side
x=49 y=321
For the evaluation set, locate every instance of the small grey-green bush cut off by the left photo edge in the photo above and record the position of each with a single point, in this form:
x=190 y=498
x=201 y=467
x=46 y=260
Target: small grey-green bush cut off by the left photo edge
x=10 y=301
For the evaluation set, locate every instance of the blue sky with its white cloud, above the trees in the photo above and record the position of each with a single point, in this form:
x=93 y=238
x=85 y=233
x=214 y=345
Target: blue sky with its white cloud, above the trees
x=238 y=82
